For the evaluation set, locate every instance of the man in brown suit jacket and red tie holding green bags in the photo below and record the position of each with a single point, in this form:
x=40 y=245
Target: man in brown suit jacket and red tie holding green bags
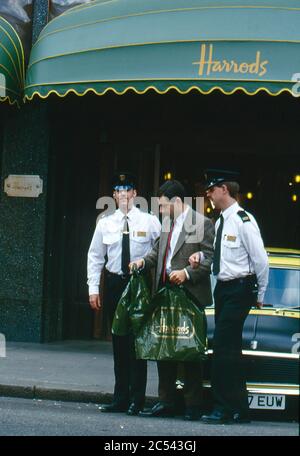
x=183 y=230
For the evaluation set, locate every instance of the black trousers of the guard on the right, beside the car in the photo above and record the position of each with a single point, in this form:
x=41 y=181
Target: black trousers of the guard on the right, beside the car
x=233 y=301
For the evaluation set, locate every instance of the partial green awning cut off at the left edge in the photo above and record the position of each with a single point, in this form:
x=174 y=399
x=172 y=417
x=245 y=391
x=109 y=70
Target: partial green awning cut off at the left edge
x=12 y=72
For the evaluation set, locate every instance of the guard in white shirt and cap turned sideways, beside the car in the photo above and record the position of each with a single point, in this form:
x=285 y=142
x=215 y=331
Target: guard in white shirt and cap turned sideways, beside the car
x=240 y=266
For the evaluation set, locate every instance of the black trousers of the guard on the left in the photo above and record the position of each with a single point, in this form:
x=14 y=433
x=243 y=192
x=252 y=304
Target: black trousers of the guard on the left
x=130 y=373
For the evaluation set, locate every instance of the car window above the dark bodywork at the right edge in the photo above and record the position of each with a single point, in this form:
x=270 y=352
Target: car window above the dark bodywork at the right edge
x=283 y=288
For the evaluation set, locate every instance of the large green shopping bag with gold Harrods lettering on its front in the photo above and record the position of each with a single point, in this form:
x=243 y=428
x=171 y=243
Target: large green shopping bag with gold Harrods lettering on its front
x=176 y=329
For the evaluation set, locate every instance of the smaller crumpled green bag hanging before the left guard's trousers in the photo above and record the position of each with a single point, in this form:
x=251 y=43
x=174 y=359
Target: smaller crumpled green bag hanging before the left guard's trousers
x=133 y=307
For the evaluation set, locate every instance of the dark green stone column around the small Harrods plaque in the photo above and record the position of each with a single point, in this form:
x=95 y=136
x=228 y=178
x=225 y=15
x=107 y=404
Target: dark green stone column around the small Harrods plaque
x=23 y=220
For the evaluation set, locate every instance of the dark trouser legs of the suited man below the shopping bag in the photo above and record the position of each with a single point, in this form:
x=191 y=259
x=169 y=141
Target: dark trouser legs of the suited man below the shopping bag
x=167 y=375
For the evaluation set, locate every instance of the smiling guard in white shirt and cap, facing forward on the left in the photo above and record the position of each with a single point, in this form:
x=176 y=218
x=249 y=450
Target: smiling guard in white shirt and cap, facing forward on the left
x=119 y=238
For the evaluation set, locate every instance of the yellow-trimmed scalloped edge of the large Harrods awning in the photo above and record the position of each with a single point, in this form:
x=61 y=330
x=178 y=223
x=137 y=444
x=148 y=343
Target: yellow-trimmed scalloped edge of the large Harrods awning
x=161 y=92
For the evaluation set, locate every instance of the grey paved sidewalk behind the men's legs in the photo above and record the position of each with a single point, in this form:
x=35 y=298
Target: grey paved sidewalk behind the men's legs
x=69 y=370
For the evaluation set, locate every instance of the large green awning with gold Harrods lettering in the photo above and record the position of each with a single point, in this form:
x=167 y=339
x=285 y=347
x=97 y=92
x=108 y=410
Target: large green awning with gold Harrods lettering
x=183 y=45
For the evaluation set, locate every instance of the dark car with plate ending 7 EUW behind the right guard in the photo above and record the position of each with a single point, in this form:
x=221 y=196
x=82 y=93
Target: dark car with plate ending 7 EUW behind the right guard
x=271 y=340
